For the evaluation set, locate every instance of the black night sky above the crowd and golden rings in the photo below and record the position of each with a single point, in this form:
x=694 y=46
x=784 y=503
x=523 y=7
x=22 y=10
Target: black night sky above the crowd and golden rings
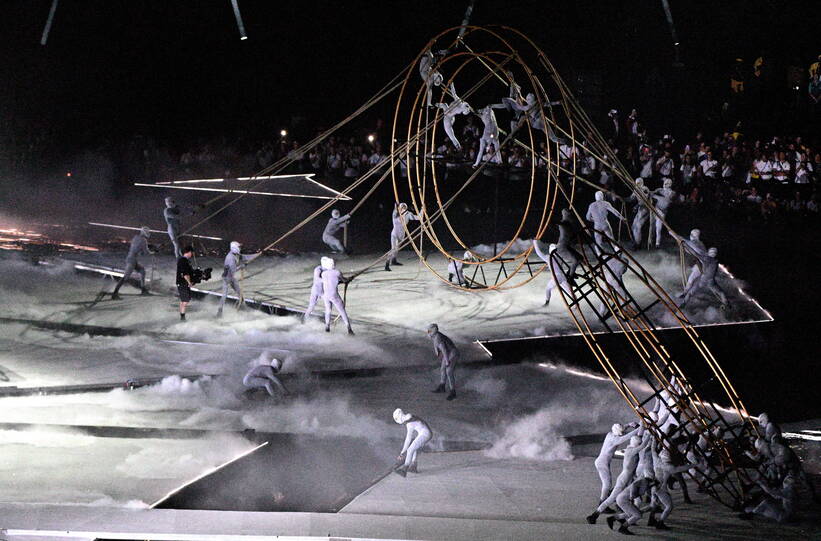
x=175 y=67
